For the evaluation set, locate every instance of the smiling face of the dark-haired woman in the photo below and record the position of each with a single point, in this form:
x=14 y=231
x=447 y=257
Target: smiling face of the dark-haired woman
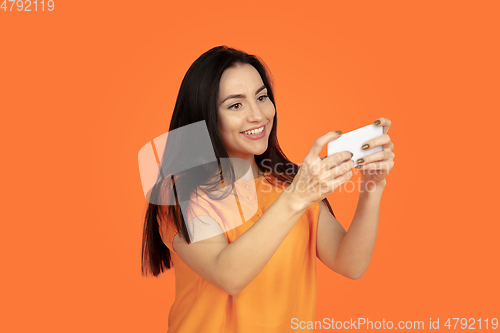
x=250 y=110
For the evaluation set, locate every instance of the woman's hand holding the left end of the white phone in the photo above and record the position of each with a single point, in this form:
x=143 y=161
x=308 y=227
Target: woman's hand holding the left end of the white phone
x=317 y=177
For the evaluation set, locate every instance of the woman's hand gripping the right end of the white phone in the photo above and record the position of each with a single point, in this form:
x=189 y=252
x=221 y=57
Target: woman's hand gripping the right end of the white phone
x=375 y=167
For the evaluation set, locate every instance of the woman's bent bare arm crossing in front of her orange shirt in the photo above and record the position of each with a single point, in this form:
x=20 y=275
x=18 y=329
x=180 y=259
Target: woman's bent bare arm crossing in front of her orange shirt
x=232 y=267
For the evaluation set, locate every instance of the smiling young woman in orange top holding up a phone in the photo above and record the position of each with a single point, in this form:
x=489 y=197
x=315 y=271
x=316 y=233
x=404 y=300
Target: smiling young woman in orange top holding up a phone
x=258 y=275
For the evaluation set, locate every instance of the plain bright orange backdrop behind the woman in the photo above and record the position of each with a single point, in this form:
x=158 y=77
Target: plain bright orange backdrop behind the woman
x=84 y=87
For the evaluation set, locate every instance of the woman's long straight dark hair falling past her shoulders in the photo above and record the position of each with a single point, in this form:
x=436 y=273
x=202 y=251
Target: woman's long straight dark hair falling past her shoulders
x=198 y=101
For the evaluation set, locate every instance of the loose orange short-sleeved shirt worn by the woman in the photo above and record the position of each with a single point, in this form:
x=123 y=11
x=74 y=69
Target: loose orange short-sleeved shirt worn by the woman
x=285 y=289
